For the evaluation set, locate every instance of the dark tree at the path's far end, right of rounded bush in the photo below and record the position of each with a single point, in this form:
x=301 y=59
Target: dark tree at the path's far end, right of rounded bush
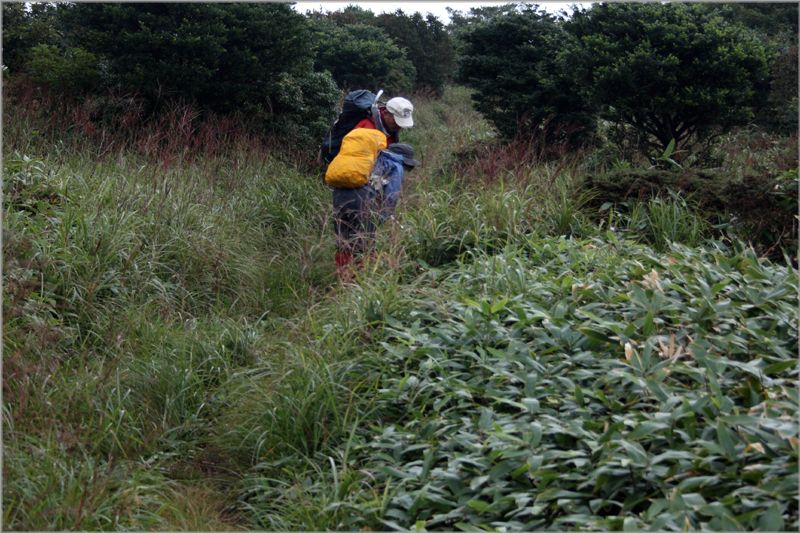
x=427 y=45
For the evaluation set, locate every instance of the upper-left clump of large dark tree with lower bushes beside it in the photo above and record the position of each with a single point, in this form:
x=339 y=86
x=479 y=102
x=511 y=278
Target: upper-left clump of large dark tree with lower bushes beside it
x=224 y=58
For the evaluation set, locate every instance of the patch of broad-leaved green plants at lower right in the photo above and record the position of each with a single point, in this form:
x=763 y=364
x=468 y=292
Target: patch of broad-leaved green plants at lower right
x=566 y=384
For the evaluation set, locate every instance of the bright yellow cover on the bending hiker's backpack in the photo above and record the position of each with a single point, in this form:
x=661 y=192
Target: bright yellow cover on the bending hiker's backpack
x=352 y=165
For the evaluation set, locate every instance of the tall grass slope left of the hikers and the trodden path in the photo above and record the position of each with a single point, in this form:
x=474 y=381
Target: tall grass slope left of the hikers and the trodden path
x=132 y=293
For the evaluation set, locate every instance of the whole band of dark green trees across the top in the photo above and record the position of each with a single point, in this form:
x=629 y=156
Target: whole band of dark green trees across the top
x=672 y=71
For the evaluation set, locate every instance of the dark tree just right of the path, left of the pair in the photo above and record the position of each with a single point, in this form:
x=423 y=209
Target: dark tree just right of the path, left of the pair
x=510 y=57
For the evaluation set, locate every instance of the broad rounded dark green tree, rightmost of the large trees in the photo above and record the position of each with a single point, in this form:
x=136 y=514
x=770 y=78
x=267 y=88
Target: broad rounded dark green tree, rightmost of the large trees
x=672 y=71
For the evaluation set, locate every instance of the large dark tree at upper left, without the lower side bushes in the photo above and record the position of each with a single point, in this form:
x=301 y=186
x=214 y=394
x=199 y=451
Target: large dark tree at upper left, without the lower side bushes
x=222 y=56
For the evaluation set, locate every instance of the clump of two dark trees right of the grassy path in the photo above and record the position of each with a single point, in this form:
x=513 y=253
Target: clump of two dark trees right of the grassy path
x=647 y=66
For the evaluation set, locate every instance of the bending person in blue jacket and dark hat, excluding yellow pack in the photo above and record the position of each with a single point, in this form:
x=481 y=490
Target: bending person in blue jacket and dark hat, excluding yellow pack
x=358 y=210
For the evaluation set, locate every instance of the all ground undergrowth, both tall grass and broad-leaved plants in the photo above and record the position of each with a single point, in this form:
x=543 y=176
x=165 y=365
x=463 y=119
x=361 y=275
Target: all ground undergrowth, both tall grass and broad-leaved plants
x=178 y=355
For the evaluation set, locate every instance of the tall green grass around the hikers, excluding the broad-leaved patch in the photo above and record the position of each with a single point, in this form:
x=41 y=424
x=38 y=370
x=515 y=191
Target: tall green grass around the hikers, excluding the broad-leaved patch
x=177 y=351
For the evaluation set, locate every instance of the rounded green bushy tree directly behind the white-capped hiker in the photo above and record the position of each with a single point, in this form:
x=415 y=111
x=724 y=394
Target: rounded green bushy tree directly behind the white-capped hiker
x=361 y=56
